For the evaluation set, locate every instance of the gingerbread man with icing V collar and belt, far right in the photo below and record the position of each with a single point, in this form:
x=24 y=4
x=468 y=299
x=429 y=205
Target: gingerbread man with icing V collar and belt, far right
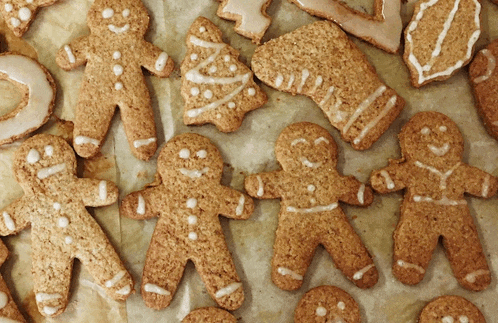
x=435 y=178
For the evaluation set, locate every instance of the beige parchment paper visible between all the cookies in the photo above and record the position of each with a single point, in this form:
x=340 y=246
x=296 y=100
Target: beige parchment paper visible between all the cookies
x=246 y=151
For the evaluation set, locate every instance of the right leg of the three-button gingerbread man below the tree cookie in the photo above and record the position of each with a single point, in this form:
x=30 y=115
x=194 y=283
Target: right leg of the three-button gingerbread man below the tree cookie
x=217 y=270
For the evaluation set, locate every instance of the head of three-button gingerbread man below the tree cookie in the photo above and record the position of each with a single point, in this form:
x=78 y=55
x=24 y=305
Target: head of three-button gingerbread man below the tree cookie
x=189 y=158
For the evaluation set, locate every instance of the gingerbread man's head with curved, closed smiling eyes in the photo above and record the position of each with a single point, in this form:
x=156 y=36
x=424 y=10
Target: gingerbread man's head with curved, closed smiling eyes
x=305 y=146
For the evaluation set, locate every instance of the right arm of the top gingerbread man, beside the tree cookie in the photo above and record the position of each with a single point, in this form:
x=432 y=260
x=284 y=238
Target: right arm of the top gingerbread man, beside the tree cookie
x=155 y=60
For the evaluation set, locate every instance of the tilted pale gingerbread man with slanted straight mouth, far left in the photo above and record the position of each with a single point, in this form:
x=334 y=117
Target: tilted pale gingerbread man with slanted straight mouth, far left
x=61 y=228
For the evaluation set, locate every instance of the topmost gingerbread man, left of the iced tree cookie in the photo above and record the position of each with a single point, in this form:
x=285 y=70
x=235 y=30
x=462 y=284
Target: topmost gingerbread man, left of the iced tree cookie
x=115 y=53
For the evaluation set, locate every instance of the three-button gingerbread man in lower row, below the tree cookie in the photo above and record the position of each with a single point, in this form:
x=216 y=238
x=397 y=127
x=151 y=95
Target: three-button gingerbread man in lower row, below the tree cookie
x=188 y=202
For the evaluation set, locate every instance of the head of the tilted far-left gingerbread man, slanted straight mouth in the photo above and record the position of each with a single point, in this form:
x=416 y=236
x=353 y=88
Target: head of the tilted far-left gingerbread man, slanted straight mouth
x=43 y=160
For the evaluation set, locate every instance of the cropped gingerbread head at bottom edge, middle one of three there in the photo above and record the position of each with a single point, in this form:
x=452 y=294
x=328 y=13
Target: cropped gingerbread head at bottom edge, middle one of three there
x=327 y=304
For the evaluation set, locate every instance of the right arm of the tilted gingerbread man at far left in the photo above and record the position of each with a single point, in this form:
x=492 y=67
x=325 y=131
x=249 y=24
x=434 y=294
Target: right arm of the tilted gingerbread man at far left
x=95 y=192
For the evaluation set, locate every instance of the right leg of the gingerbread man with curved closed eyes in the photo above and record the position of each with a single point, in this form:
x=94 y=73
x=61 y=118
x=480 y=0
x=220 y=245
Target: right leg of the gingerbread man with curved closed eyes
x=348 y=251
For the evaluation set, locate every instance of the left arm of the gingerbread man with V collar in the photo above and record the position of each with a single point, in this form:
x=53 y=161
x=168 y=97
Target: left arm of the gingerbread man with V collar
x=389 y=179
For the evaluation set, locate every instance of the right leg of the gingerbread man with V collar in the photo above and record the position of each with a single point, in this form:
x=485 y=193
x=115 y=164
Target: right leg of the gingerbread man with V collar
x=464 y=251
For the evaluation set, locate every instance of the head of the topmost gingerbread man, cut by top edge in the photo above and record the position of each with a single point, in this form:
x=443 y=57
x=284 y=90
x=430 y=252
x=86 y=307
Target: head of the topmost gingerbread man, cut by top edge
x=118 y=18
